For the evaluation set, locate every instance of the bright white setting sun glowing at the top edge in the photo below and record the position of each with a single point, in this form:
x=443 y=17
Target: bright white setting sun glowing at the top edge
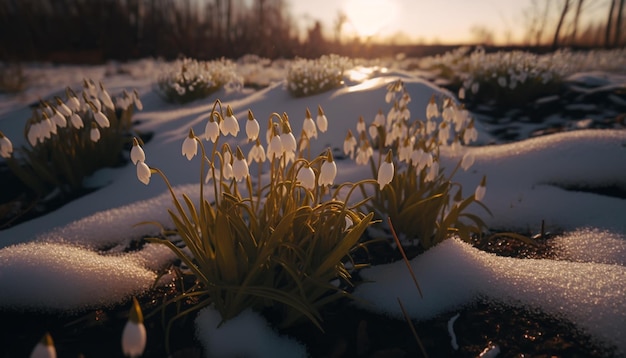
x=369 y=17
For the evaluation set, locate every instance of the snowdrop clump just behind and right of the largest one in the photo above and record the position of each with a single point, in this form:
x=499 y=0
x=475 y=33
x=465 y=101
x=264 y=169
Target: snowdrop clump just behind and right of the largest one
x=424 y=203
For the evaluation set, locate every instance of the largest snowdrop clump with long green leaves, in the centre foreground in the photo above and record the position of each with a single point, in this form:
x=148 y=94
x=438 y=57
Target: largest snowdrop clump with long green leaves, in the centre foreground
x=279 y=242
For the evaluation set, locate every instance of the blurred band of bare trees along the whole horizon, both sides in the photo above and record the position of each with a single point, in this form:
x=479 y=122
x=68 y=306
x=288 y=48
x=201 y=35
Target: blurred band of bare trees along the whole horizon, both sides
x=93 y=31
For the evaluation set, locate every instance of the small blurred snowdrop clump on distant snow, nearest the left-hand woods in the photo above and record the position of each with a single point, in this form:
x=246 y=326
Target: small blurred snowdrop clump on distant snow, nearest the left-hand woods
x=187 y=79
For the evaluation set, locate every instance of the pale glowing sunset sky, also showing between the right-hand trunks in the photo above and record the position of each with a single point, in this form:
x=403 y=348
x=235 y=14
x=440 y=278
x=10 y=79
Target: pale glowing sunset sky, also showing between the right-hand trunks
x=452 y=22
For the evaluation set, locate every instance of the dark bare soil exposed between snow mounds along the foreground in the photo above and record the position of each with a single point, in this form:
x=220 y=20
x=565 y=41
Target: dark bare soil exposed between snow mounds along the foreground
x=348 y=330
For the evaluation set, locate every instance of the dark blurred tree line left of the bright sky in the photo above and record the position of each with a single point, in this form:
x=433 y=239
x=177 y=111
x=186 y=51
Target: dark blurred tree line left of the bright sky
x=125 y=29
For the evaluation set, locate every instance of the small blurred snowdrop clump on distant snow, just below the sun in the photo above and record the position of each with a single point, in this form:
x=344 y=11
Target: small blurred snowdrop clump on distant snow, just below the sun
x=306 y=77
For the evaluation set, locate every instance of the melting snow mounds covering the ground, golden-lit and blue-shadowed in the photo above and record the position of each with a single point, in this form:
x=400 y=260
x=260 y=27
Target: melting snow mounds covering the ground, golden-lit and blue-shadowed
x=63 y=259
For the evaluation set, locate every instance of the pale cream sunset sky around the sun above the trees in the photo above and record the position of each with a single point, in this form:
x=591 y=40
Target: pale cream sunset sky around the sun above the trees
x=448 y=21
